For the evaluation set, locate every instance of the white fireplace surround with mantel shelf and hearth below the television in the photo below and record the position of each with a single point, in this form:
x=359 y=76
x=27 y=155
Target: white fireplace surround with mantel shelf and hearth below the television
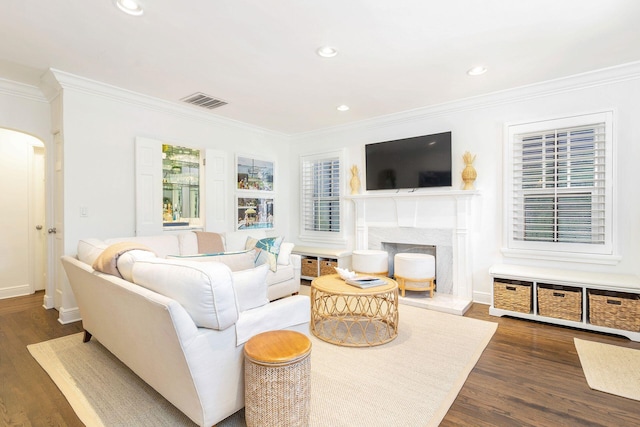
x=433 y=218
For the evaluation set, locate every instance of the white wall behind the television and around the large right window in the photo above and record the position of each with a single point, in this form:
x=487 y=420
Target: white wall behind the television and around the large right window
x=478 y=126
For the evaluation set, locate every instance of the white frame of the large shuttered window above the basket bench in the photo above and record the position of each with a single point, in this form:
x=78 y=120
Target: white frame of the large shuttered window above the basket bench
x=560 y=251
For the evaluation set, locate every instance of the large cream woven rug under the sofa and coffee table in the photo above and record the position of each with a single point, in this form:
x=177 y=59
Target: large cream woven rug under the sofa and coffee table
x=410 y=381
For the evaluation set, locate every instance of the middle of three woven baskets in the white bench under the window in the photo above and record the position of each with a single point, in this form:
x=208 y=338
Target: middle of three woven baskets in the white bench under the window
x=560 y=302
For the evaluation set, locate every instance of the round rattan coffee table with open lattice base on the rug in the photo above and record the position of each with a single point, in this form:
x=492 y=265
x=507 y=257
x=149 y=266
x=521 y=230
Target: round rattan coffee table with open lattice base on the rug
x=346 y=315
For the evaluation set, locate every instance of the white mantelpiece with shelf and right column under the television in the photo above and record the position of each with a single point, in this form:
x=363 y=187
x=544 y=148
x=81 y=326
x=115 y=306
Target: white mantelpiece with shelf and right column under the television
x=424 y=210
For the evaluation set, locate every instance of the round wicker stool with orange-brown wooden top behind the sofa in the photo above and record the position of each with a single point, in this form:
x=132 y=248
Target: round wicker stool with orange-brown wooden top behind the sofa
x=277 y=377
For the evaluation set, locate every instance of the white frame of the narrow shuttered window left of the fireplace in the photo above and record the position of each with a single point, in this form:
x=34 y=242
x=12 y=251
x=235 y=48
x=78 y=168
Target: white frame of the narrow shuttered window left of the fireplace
x=315 y=235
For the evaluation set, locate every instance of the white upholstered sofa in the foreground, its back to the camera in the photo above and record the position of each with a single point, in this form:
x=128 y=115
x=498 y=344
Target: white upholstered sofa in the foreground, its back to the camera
x=181 y=324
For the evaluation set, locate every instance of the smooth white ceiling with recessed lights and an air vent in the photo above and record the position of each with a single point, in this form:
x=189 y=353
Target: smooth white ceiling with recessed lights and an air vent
x=259 y=55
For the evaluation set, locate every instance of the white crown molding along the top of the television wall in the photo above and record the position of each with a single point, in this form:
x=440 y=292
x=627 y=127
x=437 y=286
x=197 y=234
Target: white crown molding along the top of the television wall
x=602 y=77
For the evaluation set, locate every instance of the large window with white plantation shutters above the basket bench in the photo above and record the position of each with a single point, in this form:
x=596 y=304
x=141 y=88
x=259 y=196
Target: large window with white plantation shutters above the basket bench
x=559 y=195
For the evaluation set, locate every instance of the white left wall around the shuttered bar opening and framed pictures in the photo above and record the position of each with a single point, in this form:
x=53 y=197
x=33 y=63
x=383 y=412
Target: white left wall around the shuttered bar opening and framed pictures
x=99 y=138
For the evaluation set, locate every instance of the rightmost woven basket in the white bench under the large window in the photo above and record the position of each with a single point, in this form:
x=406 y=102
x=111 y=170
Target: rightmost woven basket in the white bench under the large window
x=616 y=310
